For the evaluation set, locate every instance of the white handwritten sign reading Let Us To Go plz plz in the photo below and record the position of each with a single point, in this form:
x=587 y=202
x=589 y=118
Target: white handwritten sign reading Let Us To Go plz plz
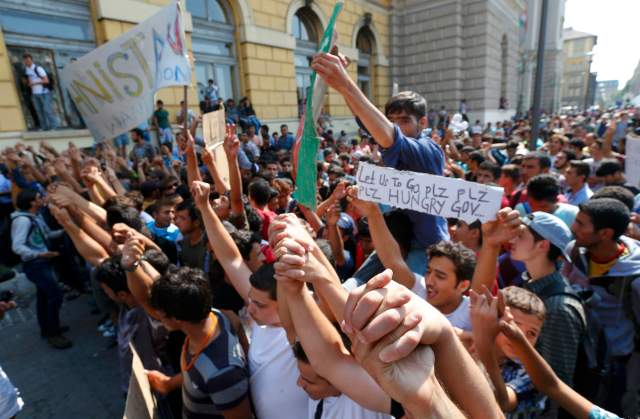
x=435 y=195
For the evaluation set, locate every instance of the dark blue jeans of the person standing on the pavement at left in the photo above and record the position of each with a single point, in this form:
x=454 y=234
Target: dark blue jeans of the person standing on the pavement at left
x=48 y=296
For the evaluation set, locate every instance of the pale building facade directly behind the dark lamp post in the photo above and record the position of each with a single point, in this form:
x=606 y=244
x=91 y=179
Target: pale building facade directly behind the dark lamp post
x=553 y=60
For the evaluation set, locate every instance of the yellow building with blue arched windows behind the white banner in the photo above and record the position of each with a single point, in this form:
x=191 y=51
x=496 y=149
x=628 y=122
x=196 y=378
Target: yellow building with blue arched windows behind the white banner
x=259 y=49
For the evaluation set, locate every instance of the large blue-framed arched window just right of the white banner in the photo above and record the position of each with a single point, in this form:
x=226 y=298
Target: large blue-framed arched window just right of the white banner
x=213 y=45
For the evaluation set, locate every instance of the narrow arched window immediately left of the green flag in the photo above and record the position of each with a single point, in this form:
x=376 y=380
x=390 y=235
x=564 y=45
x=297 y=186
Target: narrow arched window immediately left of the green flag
x=306 y=29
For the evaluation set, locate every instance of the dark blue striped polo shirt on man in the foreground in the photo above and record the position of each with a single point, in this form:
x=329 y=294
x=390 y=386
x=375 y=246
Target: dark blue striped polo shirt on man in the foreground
x=219 y=379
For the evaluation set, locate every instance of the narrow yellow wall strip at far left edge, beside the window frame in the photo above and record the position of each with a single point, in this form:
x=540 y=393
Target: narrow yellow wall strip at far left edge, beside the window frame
x=11 y=118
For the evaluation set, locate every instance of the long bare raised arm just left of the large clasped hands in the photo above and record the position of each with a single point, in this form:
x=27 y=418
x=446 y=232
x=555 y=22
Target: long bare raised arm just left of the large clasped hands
x=221 y=242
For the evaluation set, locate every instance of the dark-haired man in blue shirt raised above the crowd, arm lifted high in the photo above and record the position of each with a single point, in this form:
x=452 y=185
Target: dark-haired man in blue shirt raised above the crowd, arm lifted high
x=399 y=134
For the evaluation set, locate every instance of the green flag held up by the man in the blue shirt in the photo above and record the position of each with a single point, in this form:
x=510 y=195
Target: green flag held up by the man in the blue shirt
x=307 y=171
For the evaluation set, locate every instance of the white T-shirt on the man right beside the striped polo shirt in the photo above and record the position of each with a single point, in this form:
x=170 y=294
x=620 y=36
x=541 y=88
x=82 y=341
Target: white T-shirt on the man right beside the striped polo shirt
x=274 y=373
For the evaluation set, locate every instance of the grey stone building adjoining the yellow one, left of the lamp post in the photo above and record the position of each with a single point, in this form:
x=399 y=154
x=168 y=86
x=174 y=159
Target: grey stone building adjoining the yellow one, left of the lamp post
x=458 y=50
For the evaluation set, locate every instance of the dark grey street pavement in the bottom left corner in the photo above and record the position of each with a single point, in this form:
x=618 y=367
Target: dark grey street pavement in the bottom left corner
x=82 y=382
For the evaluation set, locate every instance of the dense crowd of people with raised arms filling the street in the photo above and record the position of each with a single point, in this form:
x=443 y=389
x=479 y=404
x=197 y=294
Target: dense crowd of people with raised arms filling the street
x=241 y=302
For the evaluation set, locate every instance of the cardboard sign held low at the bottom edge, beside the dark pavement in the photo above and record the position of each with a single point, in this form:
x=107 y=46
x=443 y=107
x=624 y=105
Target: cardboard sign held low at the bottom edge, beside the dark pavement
x=141 y=403
